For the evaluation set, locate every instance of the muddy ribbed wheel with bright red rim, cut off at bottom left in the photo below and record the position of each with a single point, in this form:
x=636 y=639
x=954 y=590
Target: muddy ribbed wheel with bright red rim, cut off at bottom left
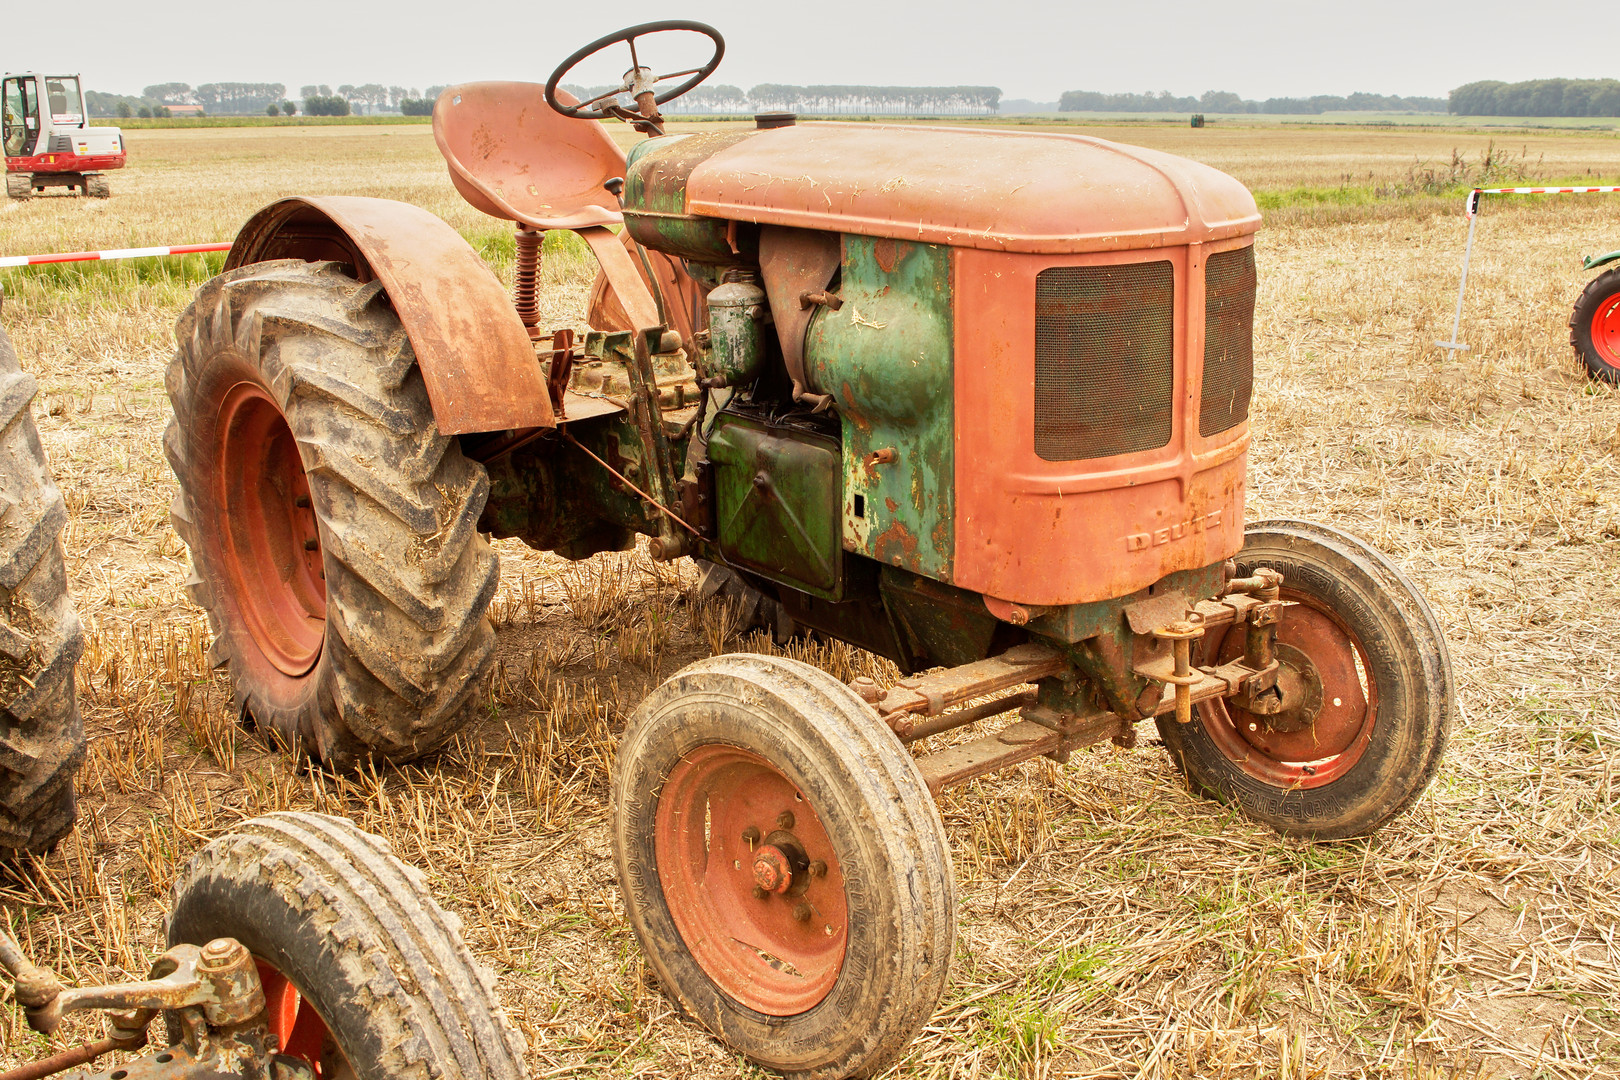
x=364 y=974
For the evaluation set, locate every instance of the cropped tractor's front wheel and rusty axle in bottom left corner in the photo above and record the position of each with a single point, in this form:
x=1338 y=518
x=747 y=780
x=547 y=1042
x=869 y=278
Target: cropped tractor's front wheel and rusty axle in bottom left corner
x=299 y=950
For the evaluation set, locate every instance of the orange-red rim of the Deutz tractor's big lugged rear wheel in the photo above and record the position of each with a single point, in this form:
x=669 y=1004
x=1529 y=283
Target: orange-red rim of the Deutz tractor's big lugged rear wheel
x=270 y=543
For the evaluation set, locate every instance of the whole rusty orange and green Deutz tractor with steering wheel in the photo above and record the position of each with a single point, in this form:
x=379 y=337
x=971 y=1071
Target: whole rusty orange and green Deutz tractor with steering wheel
x=974 y=401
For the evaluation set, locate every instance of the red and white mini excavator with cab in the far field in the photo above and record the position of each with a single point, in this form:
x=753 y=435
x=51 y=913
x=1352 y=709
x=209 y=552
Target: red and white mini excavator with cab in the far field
x=49 y=142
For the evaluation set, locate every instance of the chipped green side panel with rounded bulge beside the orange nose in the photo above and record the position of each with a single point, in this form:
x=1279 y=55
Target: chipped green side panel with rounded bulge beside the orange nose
x=887 y=359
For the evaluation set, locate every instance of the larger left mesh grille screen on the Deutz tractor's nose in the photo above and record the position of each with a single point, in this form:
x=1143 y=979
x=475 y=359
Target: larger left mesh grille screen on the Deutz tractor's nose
x=1104 y=360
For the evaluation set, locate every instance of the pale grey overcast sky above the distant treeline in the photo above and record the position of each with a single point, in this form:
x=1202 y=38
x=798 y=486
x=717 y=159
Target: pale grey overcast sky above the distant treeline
x=1031 y=51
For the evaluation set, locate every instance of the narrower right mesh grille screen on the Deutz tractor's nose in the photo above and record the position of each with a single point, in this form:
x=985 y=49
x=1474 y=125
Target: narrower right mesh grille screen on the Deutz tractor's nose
x=1229 y=341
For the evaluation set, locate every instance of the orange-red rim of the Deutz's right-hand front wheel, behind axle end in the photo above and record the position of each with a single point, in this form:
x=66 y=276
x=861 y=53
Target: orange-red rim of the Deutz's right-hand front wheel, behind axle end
x=1332 y=744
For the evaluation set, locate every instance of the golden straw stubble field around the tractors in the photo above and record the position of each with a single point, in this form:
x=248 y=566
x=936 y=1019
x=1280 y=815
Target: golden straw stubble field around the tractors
x=1111 y=924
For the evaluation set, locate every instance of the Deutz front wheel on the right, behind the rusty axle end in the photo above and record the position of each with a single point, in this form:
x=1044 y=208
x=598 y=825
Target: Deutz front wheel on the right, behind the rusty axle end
x=1366 y=684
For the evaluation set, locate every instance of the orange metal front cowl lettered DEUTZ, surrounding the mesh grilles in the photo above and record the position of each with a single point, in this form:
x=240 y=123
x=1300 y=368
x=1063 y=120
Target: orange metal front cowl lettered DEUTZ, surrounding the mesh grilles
x=1054 y=534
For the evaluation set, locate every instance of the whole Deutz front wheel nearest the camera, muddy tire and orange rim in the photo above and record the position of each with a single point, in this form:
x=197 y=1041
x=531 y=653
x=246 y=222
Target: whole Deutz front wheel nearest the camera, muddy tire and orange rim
x=783 y=865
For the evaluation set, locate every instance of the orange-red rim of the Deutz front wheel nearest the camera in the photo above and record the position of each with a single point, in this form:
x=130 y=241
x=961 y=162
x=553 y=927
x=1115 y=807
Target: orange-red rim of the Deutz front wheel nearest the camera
x=720 y=809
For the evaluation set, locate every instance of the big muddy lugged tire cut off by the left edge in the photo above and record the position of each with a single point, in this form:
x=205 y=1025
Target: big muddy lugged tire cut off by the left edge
x=41 y=640
